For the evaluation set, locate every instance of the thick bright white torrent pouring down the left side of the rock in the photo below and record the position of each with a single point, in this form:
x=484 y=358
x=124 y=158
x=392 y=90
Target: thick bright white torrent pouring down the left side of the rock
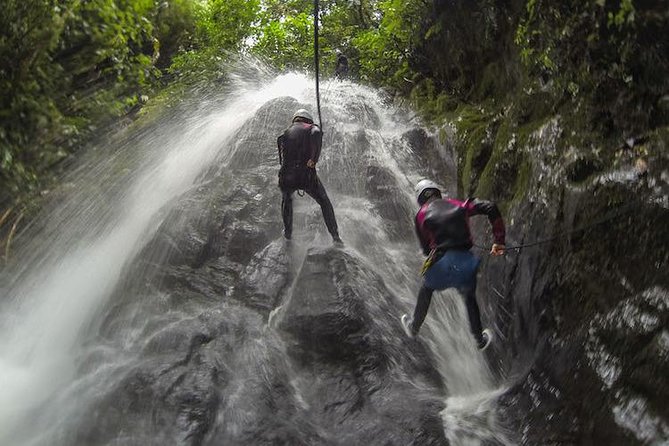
x=48 y=308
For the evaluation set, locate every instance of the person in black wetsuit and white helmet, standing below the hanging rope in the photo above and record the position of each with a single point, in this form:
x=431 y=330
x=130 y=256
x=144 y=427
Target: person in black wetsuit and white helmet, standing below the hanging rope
x=299 y=149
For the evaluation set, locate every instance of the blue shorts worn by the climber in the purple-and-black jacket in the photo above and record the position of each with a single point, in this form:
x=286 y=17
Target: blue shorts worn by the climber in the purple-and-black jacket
x=456 y=269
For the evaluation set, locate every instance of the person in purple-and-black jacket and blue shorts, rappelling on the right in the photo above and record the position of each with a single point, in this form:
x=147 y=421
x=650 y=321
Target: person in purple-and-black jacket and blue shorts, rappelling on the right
x=442 y=226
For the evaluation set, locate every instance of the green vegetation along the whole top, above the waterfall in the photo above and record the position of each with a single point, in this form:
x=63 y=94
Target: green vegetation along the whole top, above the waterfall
x=70 y=68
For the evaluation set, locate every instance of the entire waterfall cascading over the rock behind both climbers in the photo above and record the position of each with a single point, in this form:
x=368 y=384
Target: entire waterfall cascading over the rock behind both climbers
x=97 y=302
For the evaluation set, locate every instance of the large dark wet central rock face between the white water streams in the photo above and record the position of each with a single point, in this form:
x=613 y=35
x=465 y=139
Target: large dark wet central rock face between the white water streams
x=238 y=337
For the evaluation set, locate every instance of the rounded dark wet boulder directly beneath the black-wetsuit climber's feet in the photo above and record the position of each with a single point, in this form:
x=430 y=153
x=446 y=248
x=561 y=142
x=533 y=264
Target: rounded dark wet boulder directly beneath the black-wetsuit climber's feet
x=351 y=359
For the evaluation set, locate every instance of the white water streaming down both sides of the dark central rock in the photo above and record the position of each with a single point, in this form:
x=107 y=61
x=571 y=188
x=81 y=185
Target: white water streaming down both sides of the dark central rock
x=68 y=265
